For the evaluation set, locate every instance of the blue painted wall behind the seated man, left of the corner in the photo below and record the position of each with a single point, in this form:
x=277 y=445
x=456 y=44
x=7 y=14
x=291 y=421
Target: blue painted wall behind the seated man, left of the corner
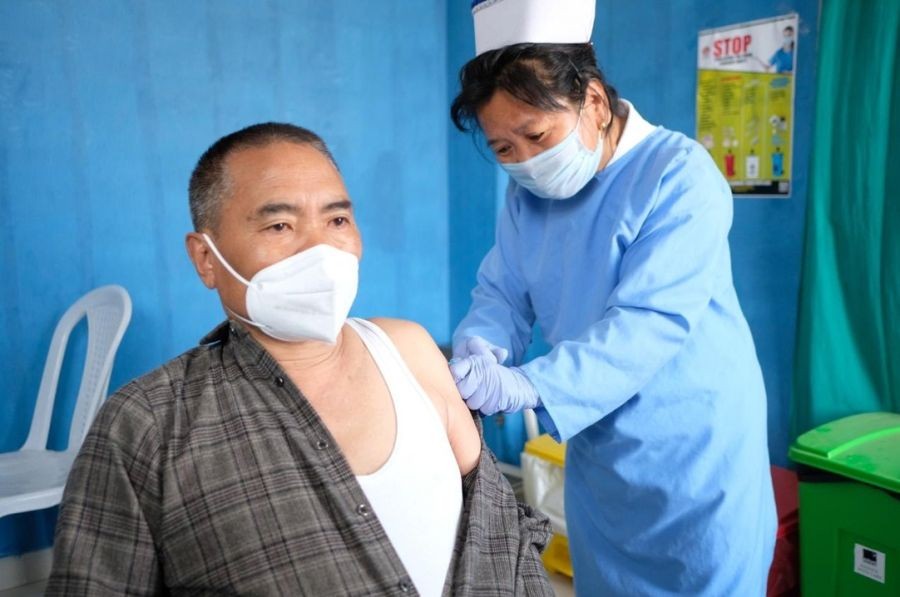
x=105 y=107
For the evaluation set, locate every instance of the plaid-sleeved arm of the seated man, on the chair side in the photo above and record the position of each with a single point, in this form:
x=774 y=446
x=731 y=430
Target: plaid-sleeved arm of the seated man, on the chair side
x=104 y=544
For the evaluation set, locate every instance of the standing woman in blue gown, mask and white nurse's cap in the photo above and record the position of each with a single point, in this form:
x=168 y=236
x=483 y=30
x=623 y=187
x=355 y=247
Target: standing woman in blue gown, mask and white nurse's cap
x=614 y=239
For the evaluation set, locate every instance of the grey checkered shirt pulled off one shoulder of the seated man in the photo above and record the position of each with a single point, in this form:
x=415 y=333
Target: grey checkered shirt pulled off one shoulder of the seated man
x=213 y=474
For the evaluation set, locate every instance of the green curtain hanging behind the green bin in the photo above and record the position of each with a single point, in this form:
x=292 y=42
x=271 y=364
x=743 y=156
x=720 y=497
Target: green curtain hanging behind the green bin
x=848 y=342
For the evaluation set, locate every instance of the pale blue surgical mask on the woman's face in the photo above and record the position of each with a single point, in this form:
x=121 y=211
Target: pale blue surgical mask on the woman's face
x=561 y=171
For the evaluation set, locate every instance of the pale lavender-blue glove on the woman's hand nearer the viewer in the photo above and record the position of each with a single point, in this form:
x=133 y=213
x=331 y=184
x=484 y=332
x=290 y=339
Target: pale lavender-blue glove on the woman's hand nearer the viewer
x=487 y=386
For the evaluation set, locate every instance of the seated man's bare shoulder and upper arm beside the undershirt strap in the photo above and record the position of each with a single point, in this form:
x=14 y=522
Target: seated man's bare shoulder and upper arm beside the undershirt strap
x=426 y=362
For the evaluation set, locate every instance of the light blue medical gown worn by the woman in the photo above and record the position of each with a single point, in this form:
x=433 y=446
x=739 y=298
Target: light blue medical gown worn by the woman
x=653 y=377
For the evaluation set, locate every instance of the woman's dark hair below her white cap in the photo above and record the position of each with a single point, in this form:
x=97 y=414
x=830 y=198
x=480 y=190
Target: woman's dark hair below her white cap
x=538 y=74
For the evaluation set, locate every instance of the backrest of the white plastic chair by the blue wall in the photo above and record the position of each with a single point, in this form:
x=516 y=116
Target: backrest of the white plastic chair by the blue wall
x=108 y=311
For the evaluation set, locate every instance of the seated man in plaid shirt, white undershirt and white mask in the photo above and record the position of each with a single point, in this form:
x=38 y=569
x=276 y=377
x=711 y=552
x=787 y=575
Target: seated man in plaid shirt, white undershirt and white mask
x=295 y=451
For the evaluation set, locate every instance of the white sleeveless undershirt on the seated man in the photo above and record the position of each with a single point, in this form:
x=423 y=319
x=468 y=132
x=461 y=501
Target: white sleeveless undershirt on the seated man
x=417 y=493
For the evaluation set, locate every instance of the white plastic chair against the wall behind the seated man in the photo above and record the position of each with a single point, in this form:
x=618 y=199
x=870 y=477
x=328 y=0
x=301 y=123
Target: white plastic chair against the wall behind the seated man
x=33 y=477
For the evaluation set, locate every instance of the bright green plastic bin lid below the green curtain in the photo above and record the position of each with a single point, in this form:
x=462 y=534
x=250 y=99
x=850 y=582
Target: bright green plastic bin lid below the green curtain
x=863 y=447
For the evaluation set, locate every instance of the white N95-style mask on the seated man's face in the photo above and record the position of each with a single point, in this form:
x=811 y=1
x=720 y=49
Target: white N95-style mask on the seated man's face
x=306 y=296
